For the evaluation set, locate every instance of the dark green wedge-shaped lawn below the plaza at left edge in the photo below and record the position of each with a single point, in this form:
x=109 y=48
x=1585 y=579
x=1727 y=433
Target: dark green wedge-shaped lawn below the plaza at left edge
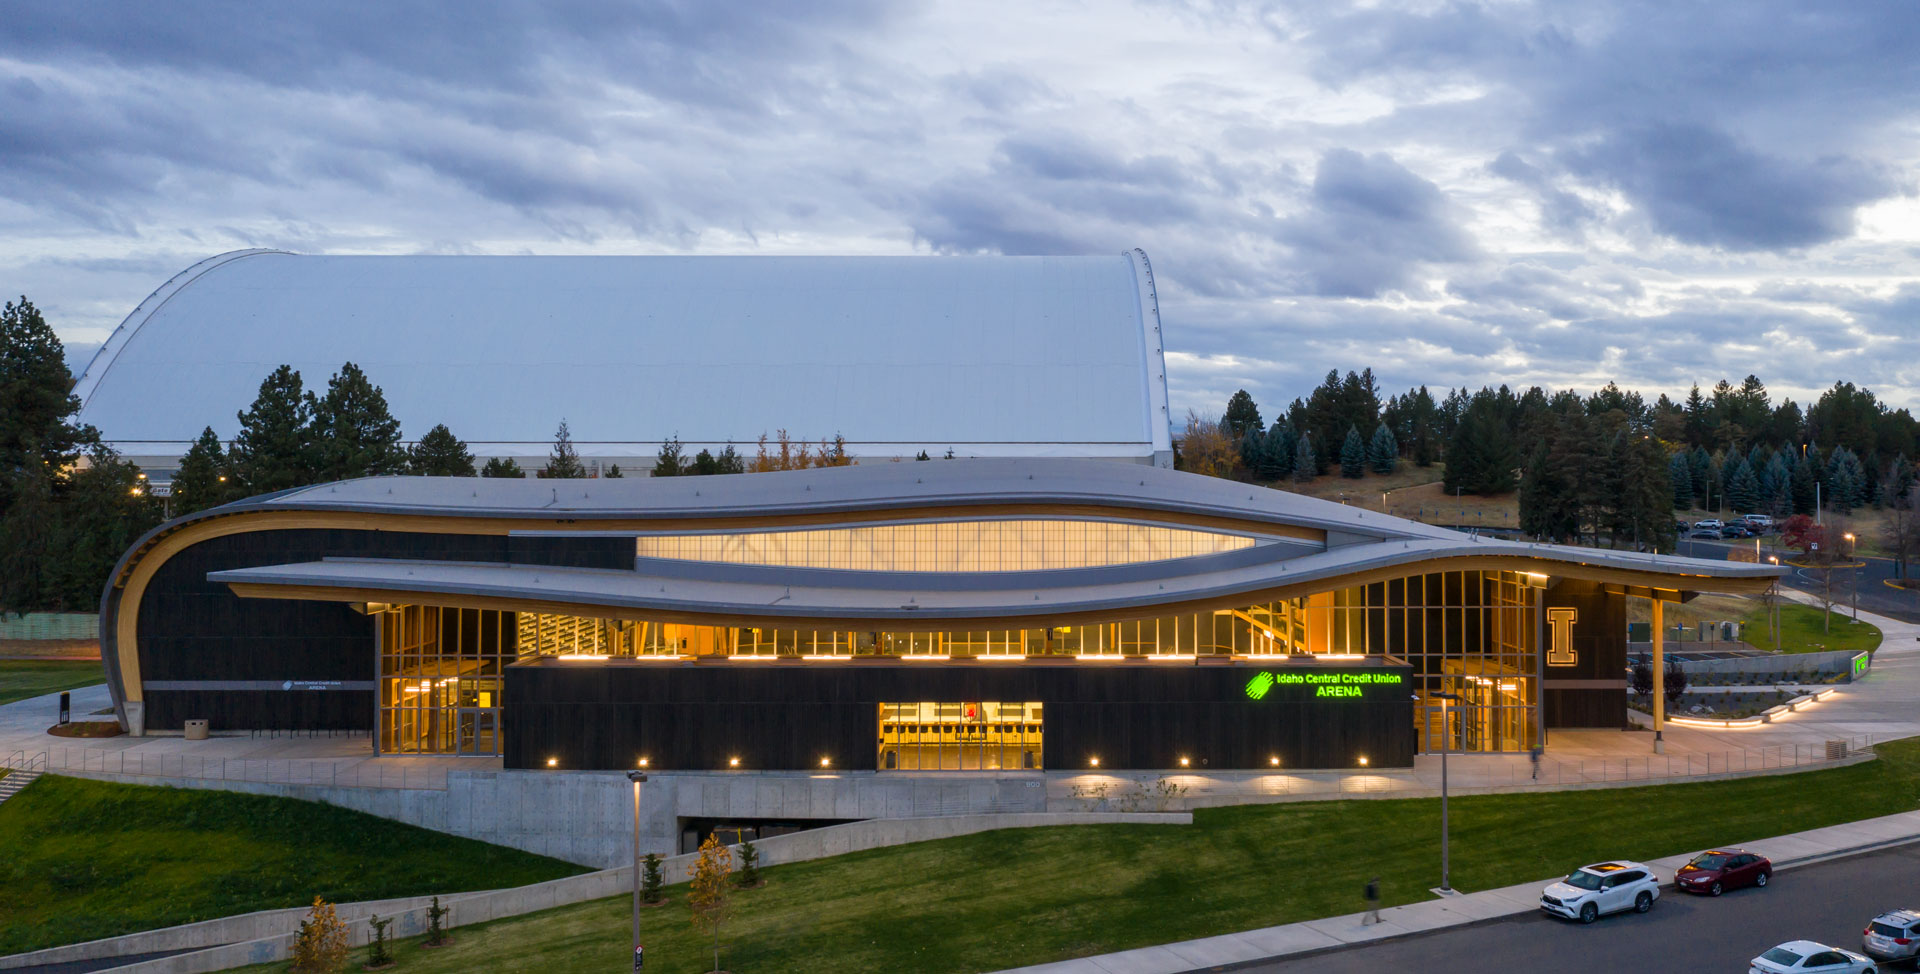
x=93 y=860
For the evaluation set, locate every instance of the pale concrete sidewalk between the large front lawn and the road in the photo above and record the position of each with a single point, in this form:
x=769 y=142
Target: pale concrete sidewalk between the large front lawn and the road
x=1337 y=933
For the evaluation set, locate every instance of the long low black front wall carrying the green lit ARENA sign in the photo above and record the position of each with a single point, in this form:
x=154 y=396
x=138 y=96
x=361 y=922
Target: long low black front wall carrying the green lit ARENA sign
x=790 y=716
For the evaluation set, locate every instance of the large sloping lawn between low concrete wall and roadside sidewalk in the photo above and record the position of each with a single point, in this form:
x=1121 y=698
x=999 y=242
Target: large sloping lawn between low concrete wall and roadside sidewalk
x=1028 y=896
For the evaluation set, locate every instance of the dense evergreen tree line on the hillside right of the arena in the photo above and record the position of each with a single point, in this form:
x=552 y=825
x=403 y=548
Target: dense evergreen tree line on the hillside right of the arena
x=1587 y=468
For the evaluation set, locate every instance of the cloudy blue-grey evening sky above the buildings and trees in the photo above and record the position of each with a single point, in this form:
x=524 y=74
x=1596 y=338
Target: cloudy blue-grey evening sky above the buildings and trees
x=1556 y=193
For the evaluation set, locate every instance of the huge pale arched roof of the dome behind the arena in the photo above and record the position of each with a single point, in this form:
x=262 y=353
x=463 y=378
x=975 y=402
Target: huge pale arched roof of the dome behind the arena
x=982 y=356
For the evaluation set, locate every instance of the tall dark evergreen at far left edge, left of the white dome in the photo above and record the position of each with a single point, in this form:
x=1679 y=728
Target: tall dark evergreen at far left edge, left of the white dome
x=36 y=401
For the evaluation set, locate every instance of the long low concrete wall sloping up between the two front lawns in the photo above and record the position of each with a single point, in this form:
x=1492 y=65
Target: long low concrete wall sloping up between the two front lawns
x=258 y=938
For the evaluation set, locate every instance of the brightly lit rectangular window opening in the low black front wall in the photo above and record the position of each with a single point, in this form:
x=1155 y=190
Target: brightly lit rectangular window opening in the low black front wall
x=961 y=737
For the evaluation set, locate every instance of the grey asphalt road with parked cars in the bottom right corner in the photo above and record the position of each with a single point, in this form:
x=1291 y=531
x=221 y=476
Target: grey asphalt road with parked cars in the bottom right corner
x=1829 y=902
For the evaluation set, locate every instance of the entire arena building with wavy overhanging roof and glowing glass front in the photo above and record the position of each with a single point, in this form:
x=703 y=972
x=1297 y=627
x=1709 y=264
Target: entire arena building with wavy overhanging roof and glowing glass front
x=892 y=618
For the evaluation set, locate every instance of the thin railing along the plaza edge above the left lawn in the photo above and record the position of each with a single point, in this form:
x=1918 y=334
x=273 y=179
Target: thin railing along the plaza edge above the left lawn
x=348 y=773
